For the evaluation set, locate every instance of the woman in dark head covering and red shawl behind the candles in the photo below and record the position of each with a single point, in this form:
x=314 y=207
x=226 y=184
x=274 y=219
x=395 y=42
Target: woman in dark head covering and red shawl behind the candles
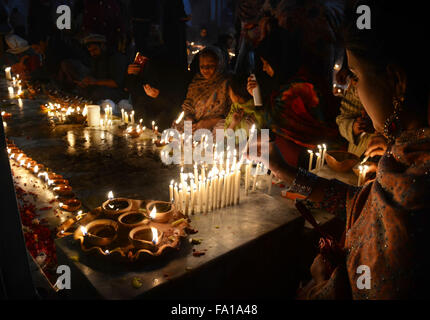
x=297 y=111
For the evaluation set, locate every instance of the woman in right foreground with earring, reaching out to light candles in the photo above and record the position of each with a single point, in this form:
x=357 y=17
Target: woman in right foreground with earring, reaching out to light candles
x=383 y=252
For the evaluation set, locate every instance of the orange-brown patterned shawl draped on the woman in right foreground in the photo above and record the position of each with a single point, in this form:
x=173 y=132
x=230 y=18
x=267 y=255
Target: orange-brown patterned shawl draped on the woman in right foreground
x=387 y=224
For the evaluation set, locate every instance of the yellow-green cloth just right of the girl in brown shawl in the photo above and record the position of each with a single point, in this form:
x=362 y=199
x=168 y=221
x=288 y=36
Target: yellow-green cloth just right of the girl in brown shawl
x=250 y=116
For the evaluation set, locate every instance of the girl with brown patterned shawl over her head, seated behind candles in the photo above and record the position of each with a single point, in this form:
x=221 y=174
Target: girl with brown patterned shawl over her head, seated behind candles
x=207 y=101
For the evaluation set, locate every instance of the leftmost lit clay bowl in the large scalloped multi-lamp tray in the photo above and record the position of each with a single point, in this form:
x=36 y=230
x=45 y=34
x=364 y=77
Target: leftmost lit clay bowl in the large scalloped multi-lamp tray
x=100 y=232
